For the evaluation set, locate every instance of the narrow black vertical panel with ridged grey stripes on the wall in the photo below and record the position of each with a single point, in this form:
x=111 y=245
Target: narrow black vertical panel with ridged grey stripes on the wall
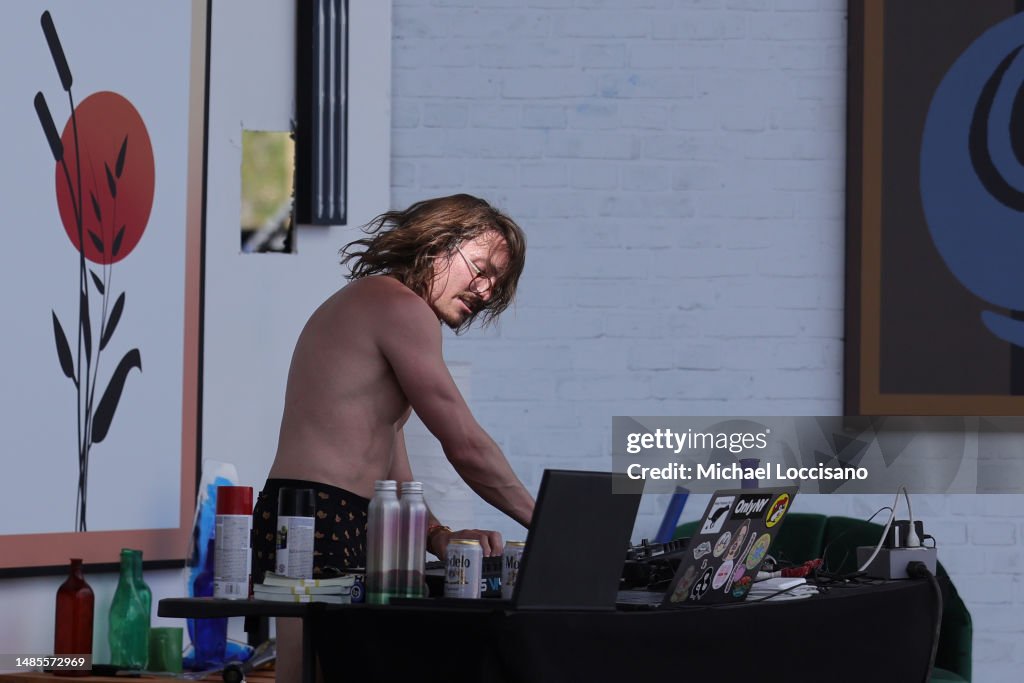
x=321 y=112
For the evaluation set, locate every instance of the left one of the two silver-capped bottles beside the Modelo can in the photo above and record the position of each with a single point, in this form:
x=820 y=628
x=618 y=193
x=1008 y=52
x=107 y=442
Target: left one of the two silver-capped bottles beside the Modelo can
x=382 y=543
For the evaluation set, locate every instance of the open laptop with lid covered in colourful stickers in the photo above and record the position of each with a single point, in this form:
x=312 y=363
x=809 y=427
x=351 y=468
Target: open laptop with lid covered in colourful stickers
x=728 y=549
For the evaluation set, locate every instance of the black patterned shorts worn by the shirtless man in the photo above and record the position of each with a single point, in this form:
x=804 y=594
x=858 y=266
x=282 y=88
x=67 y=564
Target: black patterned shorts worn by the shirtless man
x=339 y=530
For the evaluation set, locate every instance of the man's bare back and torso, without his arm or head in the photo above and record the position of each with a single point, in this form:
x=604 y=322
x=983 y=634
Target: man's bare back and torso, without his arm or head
x=345 y=406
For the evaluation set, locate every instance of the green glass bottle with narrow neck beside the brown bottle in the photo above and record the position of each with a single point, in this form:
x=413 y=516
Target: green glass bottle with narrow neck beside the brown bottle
x=130 y=621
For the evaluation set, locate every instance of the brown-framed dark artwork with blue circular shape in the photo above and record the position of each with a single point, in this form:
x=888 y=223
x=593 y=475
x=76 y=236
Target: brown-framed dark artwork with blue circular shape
x=935 y=208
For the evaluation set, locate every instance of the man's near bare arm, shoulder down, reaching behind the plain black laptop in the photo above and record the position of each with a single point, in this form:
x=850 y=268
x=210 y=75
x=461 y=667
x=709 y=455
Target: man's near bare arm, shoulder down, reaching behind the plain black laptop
x=411 y=340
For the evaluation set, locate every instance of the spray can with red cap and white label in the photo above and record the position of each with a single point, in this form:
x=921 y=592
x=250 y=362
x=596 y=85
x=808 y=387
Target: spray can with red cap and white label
x=232 y=578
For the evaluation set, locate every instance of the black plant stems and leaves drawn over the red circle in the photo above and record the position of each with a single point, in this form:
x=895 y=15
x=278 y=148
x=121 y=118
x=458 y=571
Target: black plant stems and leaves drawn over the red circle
x=82 y=367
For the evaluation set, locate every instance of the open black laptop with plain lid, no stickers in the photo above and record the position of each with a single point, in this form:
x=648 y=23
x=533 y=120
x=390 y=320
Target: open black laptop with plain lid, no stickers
x=576 y=547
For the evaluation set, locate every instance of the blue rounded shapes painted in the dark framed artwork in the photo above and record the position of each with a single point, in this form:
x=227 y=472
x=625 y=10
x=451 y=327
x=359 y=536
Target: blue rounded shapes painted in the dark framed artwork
x=972 y=173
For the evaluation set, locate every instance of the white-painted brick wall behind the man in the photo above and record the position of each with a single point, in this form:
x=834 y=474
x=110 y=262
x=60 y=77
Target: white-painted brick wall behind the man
x=678 y=166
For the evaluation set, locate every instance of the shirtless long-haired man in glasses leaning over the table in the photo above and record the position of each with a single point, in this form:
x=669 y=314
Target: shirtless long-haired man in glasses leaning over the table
x=370 y=355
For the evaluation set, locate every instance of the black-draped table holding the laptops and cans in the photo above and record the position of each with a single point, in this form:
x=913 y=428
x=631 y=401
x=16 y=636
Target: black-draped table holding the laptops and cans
x=876 y=633
